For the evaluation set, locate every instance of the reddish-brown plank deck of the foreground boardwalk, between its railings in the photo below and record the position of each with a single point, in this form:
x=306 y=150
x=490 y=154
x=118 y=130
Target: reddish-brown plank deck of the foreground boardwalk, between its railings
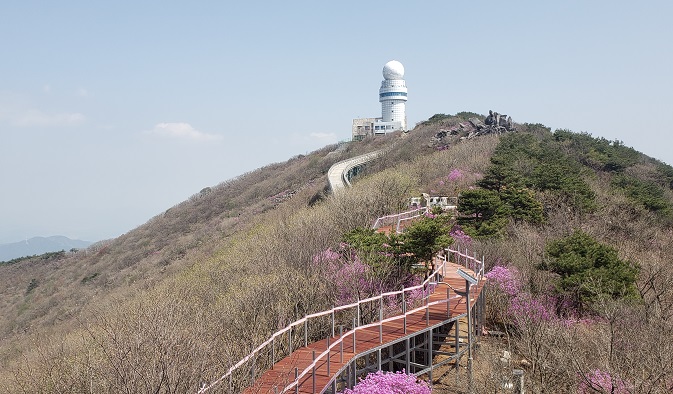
x=367 y=339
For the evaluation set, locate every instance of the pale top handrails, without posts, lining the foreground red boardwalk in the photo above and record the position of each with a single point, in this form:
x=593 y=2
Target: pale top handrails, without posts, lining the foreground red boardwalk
x=478 y=270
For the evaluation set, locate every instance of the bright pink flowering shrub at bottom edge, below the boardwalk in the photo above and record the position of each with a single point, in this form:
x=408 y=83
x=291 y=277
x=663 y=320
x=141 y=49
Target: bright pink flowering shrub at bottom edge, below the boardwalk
x=390 y=383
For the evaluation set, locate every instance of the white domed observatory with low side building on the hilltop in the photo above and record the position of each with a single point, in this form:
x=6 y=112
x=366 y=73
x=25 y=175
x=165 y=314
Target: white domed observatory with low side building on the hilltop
x=393 y=99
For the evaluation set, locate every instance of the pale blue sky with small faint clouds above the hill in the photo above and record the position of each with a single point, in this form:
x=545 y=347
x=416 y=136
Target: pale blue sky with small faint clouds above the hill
x=113 y=112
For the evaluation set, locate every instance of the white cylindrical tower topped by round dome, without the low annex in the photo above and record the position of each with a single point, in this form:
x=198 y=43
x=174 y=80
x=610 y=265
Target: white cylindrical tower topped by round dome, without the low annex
x=393 y=94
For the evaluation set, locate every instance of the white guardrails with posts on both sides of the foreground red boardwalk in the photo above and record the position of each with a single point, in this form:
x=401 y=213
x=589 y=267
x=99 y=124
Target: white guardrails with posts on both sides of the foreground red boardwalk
x=470 y=262
